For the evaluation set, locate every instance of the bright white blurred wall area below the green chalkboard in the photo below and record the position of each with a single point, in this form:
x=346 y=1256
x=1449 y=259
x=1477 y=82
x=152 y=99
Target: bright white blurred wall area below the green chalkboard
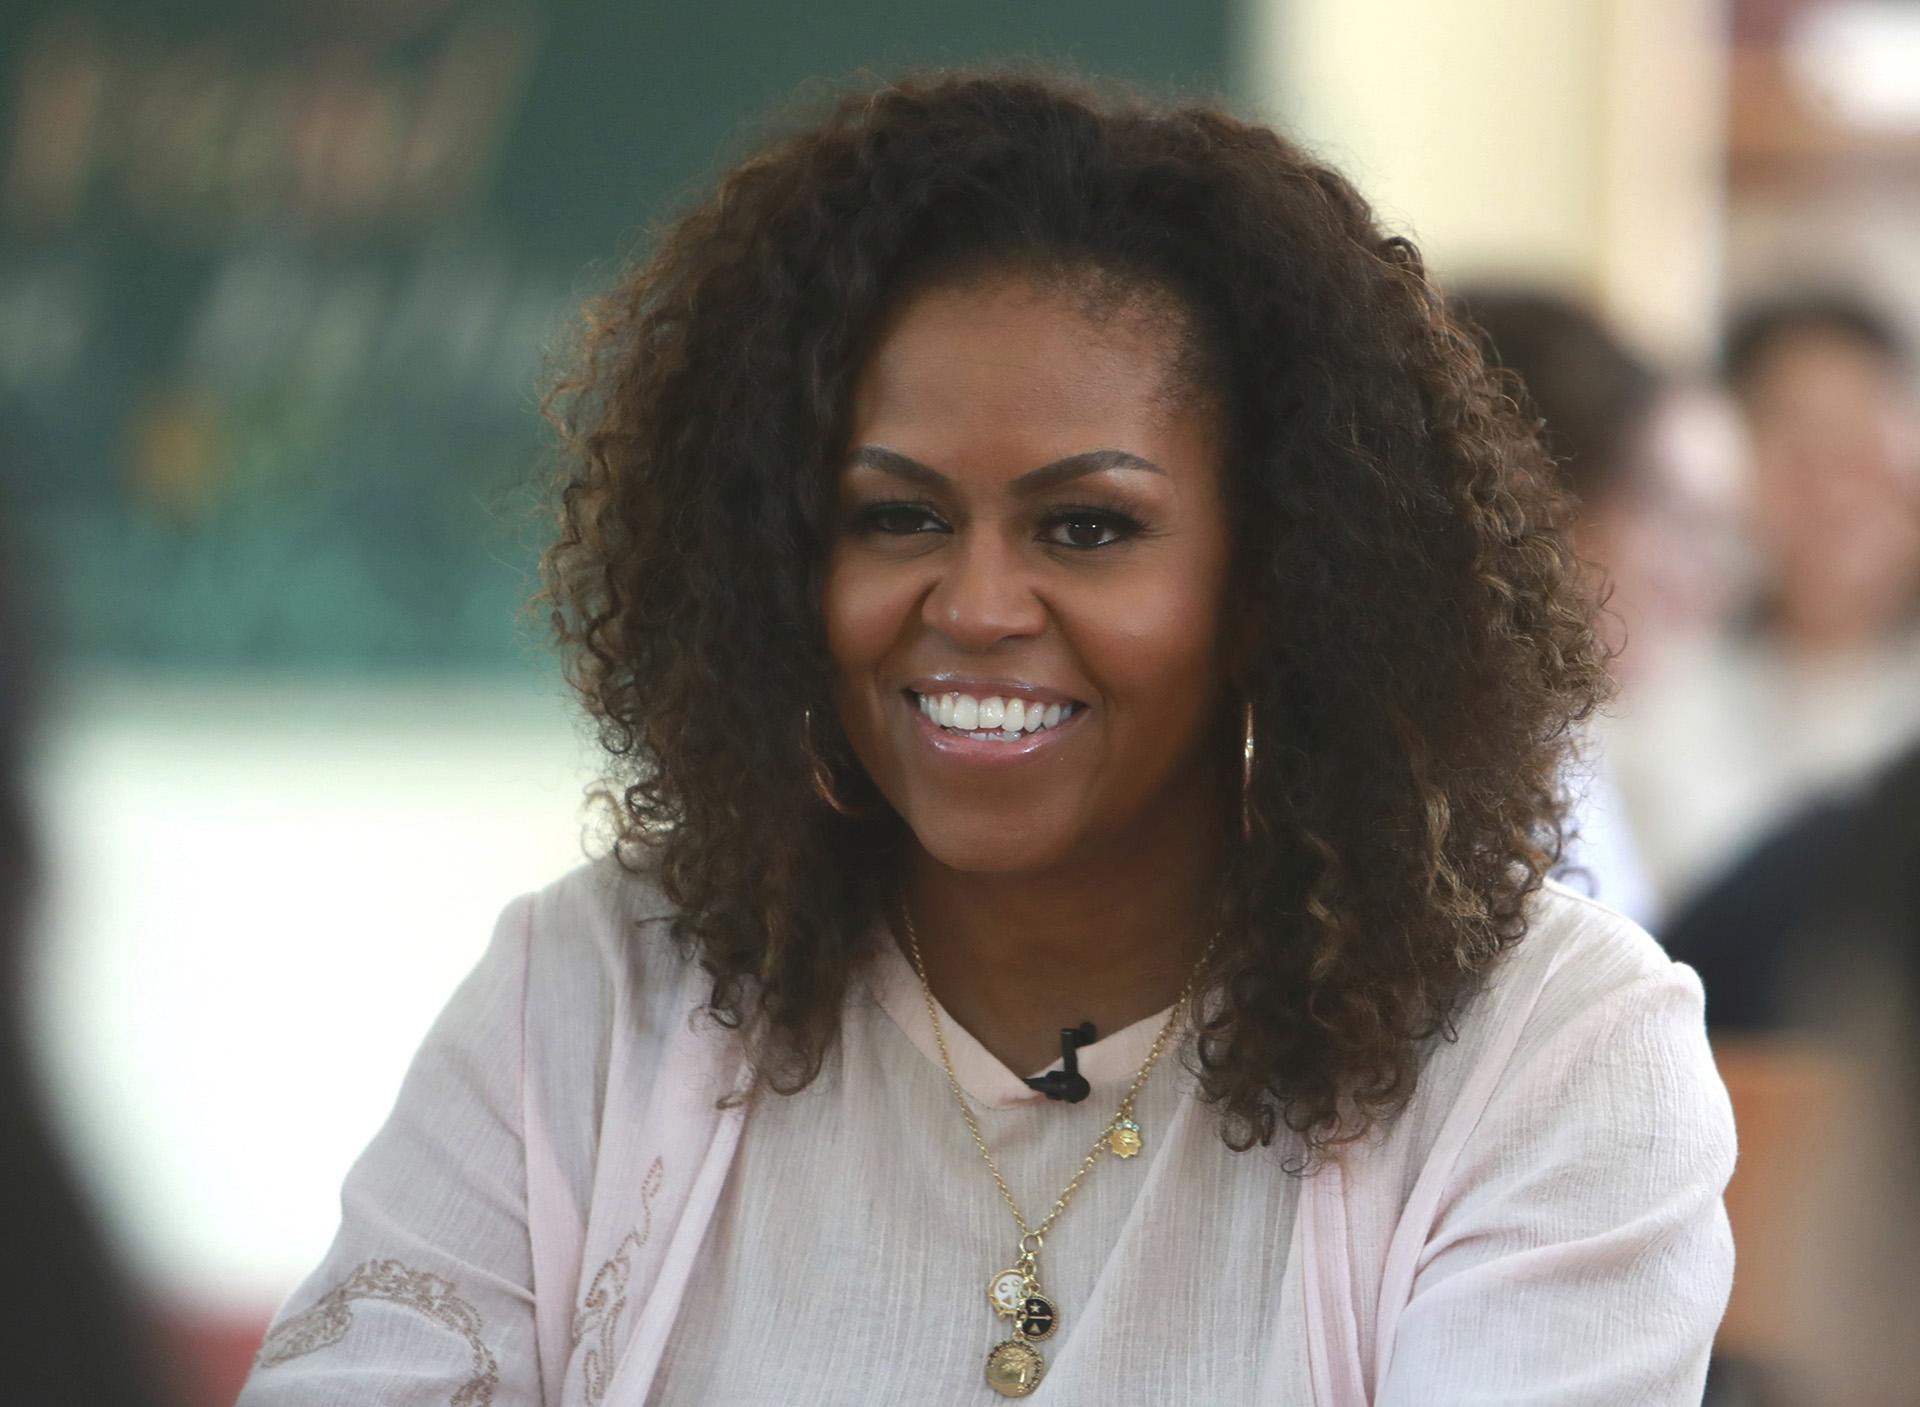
x=256 y=899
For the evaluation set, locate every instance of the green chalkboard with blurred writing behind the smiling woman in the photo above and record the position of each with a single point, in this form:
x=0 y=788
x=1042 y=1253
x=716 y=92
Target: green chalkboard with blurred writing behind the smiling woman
x=276 y=281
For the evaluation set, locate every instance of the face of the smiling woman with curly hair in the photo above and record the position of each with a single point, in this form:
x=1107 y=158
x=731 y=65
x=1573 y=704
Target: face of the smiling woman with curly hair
x=1026 y=584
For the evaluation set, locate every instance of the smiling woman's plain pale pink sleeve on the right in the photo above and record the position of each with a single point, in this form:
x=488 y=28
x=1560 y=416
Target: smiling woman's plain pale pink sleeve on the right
x=1583 y=1254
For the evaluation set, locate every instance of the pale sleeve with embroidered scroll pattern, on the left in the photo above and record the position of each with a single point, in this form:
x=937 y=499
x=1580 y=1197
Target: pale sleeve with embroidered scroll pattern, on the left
x=425 y=1299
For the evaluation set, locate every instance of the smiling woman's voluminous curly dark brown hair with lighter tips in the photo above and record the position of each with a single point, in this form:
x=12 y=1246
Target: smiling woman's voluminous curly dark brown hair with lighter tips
x=1422 y=646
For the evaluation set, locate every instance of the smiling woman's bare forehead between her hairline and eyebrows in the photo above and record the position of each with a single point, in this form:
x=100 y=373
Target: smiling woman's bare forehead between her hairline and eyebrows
x=1013 y=360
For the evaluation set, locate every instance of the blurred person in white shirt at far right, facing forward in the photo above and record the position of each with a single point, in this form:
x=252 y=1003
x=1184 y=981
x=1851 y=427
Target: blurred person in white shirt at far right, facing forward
x=1819 y=682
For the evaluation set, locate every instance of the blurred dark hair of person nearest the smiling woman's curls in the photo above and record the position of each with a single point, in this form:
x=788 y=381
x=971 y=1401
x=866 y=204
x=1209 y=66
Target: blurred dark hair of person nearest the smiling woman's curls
x=1589 y=391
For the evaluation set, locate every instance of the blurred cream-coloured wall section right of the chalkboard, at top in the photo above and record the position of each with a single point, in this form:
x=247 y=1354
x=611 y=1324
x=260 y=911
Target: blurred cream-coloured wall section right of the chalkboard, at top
x=1573 y=143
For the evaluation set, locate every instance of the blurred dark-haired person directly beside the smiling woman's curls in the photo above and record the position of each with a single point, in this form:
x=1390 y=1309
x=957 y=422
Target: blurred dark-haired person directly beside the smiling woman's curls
x=1654 y=467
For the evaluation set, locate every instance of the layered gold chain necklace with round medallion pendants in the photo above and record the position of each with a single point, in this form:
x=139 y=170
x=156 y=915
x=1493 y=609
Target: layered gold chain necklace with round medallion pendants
x=1015 y=1366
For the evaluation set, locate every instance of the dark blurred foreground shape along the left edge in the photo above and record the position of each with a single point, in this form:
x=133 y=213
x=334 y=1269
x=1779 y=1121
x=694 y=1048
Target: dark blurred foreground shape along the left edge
x=68 y=1331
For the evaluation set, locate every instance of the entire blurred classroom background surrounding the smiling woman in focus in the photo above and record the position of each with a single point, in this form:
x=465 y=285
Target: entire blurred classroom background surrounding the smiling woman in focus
x=277 y=283
